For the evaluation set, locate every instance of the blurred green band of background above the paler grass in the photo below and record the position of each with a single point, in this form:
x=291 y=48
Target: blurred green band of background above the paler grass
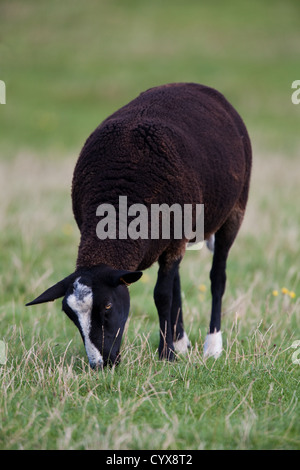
x=68 y=64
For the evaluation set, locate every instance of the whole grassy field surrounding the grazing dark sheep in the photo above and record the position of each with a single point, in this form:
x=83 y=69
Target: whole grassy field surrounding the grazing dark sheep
x=67 y=65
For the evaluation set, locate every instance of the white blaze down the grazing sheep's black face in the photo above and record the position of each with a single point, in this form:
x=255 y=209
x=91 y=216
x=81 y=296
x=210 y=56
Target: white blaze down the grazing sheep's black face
x=81 y=302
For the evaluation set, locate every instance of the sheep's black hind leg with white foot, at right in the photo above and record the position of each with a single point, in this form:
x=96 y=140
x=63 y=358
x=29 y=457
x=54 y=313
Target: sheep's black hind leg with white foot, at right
x=224 y=239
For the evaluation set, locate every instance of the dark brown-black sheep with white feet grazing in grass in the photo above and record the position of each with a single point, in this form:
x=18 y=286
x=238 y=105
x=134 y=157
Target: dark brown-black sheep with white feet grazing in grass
x=181 y=143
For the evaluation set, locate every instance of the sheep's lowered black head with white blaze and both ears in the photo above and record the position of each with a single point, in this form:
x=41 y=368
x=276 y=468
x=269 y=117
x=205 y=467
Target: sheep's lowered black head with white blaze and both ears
x=97 y=300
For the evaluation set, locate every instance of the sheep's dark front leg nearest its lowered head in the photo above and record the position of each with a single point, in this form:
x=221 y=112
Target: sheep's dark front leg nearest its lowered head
x=163 y=297
